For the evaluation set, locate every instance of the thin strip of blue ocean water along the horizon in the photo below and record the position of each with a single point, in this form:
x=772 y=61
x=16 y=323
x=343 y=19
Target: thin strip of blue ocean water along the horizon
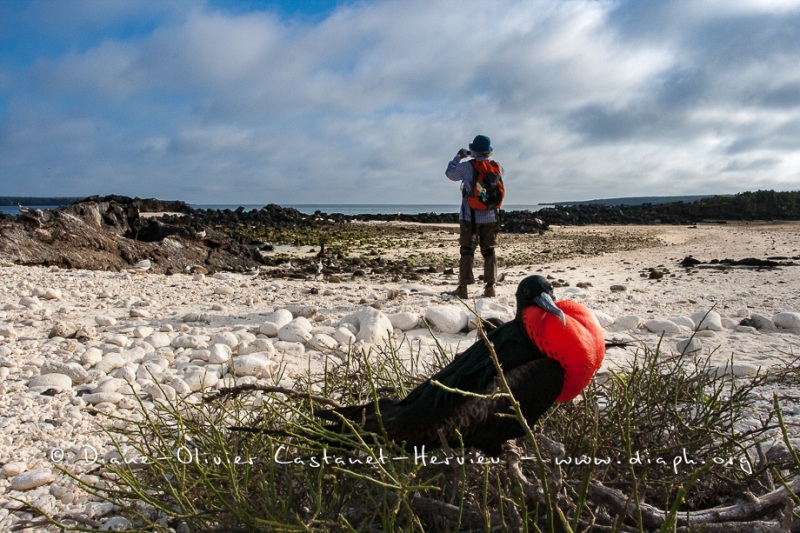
x=310 y=209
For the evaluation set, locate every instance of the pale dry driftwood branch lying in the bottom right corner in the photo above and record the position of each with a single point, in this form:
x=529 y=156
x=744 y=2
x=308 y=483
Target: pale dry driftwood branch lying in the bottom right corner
x=653 y=517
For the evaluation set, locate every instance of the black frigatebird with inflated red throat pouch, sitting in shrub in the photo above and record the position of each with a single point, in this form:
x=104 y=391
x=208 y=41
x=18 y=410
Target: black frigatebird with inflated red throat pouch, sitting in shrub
x=548 y=353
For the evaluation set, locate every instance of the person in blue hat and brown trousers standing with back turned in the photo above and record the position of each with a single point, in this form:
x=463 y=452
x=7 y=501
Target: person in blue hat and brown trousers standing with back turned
x=478 y=227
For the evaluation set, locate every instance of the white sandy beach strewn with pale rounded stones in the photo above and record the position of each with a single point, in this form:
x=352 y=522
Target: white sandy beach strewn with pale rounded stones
x=187 y=330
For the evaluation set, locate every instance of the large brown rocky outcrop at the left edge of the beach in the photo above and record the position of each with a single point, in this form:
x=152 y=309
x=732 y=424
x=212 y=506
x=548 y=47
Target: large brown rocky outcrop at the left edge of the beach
x=110 y=233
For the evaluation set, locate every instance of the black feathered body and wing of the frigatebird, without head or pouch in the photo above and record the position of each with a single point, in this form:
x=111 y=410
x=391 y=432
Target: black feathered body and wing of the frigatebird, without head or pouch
x=429 y=413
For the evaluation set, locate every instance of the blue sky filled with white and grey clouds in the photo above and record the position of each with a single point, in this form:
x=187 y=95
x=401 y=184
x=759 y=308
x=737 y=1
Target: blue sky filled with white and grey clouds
x=226 y=101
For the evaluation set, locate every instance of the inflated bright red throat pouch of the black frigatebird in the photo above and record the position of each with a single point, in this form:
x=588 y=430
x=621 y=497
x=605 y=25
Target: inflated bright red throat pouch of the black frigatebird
x=579 y=347
